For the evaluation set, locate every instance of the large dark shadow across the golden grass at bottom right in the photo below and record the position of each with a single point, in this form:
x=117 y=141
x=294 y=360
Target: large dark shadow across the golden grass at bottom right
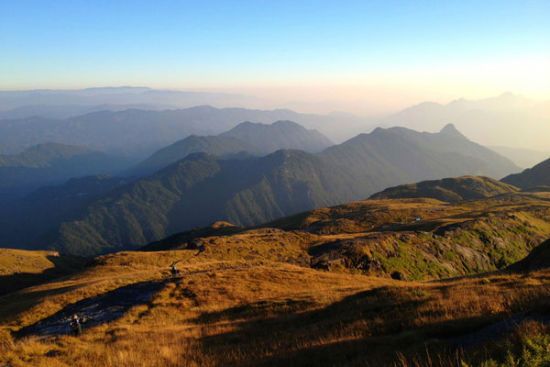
x=365 y=329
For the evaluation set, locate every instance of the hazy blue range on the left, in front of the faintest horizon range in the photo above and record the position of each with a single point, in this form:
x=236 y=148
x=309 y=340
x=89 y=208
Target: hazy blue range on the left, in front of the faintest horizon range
x=139 y=133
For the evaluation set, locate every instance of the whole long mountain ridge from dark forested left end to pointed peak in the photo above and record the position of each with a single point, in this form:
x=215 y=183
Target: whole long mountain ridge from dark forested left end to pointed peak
x=202 y=188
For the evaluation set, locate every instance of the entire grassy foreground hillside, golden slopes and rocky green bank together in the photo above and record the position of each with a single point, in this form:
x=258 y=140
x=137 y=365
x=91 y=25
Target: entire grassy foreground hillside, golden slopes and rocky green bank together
x=311 y=289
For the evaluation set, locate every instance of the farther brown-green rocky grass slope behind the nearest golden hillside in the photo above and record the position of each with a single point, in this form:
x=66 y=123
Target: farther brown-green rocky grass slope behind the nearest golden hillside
x=412 y=238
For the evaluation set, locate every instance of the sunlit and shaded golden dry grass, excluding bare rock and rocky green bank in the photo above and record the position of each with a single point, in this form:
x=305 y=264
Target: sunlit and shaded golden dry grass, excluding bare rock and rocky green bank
x=251 y=299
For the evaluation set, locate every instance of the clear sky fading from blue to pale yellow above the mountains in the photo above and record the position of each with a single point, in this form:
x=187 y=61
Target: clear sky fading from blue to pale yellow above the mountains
x=351 y=55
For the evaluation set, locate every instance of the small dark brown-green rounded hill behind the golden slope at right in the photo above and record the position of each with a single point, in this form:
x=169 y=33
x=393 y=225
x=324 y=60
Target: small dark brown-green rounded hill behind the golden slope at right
x=448 y=189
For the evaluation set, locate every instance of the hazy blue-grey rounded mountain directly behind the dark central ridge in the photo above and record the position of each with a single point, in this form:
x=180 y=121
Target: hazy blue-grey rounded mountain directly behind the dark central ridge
x=247 y=137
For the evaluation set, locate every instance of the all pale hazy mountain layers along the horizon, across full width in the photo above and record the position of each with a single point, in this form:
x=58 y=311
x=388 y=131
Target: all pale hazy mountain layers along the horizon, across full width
x=103 y=119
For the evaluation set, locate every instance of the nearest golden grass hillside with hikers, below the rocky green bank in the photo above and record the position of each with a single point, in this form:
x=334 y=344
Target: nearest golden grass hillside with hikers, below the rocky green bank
x=256 y=312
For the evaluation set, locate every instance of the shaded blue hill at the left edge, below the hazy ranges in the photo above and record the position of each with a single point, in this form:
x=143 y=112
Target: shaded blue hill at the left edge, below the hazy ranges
x=49 y=164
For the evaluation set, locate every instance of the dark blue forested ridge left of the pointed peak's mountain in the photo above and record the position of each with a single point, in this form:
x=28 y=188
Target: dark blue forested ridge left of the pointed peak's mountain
x=198 y=190
